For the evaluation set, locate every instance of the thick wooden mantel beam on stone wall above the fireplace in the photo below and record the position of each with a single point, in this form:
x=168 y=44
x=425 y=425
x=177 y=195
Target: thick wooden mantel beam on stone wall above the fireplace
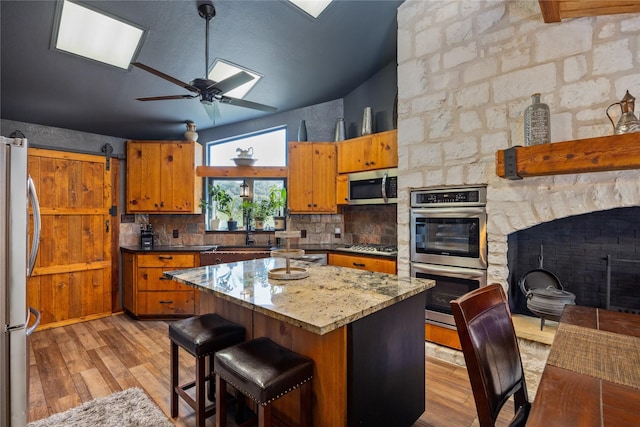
x=606 y=153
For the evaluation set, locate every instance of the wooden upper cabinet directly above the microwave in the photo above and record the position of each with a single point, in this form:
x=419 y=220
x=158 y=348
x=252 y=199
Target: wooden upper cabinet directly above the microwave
x=370 y=152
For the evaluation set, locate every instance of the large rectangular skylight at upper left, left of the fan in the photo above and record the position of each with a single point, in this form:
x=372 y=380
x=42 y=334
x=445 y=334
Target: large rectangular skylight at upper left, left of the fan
x=93 y=35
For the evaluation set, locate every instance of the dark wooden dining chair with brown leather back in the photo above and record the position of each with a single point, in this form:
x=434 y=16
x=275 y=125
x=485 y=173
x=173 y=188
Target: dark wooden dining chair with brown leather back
x=491 y=353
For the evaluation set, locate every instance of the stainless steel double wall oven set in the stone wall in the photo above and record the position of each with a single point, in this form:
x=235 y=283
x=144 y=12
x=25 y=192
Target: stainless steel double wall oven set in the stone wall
x=448 y=245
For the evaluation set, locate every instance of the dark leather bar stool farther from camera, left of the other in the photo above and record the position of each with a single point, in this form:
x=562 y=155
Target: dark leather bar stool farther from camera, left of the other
x=200 y=336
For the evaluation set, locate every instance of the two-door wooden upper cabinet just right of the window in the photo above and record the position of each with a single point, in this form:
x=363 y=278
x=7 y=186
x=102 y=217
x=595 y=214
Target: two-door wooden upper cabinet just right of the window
x=312 y=177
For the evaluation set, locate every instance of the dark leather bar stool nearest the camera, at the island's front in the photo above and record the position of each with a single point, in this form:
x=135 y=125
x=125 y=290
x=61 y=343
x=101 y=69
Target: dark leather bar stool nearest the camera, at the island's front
x=264 y=371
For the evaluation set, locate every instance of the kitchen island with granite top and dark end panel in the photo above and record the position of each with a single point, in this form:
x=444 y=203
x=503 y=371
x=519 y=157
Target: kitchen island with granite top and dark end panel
x=364 y=331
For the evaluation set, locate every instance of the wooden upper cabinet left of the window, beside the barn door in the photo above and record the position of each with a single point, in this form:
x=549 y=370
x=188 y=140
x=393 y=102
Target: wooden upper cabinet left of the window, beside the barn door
x=161 y=177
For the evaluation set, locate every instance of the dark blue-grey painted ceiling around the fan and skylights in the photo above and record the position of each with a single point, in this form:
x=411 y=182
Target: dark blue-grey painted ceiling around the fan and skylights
x=303 y=61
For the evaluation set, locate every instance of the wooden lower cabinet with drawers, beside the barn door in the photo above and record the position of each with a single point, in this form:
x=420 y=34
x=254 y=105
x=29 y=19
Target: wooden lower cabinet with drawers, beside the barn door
x=147 y=293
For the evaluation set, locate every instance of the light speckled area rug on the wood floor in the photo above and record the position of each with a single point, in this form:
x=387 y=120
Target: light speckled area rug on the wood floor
x=128 y=408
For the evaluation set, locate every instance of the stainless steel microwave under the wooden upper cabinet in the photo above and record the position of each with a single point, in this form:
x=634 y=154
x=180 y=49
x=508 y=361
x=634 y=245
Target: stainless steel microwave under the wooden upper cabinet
x=373 y=187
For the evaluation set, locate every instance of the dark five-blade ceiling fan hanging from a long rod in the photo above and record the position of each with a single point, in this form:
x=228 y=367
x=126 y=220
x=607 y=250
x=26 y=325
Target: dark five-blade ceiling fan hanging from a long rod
x=209 y=91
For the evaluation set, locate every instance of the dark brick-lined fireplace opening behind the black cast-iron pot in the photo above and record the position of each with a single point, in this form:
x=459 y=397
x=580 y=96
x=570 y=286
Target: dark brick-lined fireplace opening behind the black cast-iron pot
x=576 y=250
